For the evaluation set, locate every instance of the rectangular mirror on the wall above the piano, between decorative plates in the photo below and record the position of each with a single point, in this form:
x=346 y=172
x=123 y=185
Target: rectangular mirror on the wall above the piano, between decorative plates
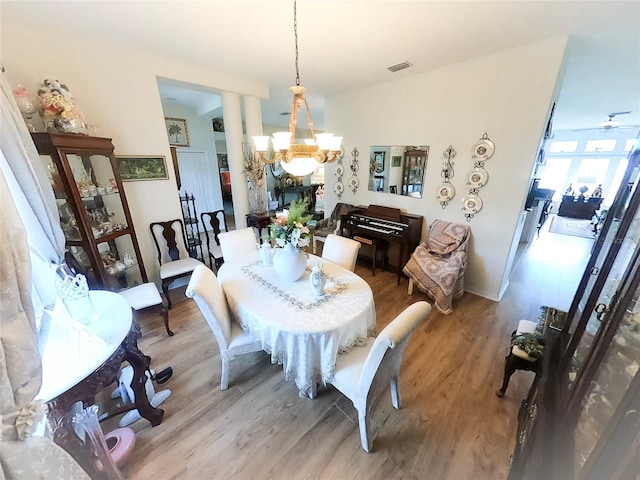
x=398 y=169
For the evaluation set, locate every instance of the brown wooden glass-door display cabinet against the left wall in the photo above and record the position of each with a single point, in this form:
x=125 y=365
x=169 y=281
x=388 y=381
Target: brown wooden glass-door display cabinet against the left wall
x=100 y=240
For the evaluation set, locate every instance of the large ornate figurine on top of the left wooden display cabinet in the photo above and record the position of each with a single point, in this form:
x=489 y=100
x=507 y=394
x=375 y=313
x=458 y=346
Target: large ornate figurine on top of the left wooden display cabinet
x=59 y=108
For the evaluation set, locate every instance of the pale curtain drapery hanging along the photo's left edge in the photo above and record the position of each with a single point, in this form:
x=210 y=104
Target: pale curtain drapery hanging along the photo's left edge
x=21 y=455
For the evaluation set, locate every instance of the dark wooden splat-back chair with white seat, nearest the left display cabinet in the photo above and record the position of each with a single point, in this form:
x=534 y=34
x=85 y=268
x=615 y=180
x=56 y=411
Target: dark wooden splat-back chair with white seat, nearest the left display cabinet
x=169 y=239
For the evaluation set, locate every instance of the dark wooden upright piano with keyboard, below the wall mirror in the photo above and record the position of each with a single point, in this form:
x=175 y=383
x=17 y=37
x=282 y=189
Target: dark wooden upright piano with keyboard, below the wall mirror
x=388 y=224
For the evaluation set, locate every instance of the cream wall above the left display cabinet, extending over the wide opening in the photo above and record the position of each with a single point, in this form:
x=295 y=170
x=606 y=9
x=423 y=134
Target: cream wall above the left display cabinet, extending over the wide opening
x=117 y=91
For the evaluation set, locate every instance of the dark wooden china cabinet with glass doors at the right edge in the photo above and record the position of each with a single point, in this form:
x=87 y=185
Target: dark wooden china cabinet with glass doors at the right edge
x=581 y=418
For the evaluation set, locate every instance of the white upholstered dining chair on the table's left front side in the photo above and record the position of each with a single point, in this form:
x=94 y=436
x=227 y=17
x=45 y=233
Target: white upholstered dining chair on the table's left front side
x=207 y=292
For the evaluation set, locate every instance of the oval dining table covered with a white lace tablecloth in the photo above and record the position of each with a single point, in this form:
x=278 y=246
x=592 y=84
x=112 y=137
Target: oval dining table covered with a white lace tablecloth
x=301 y=331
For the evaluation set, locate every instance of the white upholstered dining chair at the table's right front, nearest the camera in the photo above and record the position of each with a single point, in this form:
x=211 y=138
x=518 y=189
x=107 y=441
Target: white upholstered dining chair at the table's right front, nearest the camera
x=363 y=374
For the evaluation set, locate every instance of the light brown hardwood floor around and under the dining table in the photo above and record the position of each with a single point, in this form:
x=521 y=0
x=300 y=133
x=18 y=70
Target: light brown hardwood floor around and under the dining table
x=451 y=425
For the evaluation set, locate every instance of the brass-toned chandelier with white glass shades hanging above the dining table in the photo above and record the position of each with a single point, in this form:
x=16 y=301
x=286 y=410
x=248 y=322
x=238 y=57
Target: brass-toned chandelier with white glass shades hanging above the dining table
x=298 y=159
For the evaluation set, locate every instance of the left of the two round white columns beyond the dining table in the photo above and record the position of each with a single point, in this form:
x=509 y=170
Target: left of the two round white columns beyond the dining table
x=232 y=117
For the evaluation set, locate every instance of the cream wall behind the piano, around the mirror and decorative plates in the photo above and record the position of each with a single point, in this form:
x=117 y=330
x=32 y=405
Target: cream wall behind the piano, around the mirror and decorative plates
x=507 y=95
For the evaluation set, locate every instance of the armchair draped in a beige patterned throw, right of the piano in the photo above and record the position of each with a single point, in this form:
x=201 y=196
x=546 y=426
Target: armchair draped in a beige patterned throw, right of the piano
x=437 y=265
